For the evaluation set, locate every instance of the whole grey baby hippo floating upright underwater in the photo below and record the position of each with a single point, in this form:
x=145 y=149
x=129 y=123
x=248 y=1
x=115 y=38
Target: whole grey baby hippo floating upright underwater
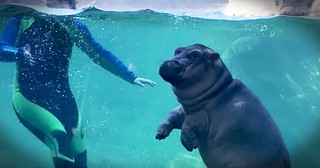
x=219 y=115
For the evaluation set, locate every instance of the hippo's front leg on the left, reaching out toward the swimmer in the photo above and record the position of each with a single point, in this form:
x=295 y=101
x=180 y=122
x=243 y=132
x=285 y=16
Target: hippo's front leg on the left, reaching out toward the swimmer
x=173 y=121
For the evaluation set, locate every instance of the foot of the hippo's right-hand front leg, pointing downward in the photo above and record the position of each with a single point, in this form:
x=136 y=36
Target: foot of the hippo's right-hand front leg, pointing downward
x=188 y=139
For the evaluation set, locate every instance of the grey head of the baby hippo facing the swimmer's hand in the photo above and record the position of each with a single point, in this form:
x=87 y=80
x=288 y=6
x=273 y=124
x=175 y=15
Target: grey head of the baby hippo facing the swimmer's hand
x=193 y=70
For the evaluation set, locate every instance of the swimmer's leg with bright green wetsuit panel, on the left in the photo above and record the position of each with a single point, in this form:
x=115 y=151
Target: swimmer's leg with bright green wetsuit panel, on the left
x=47 y=128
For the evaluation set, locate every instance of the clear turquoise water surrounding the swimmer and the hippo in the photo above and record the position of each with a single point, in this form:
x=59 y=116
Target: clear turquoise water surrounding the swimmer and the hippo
x=278 y=58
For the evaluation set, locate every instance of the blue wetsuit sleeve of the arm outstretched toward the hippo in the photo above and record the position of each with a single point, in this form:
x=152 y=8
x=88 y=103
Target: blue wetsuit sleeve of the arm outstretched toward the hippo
x=84 y=40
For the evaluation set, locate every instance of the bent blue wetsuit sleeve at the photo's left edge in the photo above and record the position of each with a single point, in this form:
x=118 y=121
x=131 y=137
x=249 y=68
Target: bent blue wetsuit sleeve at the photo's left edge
x=9 y=53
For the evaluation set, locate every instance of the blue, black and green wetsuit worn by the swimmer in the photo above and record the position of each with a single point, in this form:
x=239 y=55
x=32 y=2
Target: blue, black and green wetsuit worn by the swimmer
x=42 y=97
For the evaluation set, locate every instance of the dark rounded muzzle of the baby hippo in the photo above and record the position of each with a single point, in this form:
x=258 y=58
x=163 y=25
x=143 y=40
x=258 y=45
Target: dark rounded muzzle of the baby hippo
x=172 y=72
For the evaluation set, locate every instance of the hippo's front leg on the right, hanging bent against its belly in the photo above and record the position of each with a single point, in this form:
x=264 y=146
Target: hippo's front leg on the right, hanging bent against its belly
x=195 y=124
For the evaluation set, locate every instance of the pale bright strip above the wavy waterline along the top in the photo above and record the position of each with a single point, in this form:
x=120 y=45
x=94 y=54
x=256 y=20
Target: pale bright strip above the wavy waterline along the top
x=218 y=9
